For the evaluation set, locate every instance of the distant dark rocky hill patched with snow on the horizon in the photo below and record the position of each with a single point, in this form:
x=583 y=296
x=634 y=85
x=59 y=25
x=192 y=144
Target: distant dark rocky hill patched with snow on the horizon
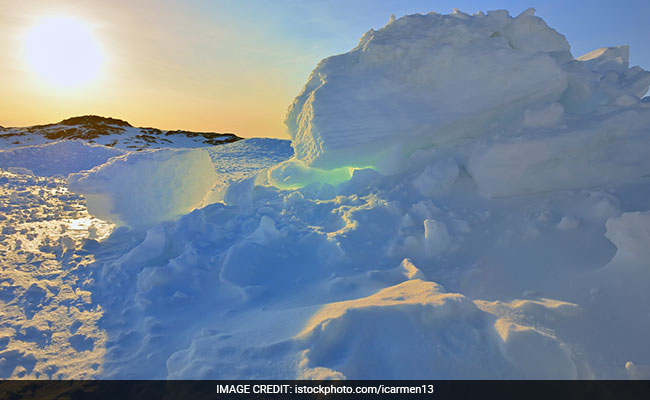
x=109 y=132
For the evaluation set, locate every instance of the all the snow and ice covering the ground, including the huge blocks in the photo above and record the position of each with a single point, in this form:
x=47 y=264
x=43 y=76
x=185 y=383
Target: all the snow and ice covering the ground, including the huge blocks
x=479 y=211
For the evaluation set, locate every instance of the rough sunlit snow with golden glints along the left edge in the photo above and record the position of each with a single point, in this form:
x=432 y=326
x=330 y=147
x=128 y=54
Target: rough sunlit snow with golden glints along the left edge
x=48 y=318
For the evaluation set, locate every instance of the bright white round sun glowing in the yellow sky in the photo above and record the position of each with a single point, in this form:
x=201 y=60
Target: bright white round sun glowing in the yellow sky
x=63 y=51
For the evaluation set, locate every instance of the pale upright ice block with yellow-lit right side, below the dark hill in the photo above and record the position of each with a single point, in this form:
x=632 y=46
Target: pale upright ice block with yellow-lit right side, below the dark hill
x=144 y=188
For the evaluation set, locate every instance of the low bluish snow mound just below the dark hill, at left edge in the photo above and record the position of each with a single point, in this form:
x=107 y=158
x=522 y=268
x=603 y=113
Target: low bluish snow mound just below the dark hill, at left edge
x=57 y=158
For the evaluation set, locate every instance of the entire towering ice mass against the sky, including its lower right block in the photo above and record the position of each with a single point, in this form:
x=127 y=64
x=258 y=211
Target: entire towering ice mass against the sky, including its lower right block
x=440 y=82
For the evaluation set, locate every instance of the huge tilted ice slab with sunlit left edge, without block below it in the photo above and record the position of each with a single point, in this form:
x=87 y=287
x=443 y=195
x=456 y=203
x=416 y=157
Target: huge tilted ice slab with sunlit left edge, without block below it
x=424 y=80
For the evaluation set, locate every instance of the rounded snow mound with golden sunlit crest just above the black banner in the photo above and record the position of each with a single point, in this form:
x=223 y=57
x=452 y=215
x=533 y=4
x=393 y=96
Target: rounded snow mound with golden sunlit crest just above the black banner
x=343 y=339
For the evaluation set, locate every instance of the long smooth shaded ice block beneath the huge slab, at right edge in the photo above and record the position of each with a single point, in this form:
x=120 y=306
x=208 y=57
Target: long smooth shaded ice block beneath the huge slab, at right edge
x=565 y=159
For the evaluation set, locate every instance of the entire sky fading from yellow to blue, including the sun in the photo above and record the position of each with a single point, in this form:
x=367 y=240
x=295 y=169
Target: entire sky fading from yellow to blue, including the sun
x=229 y=65
